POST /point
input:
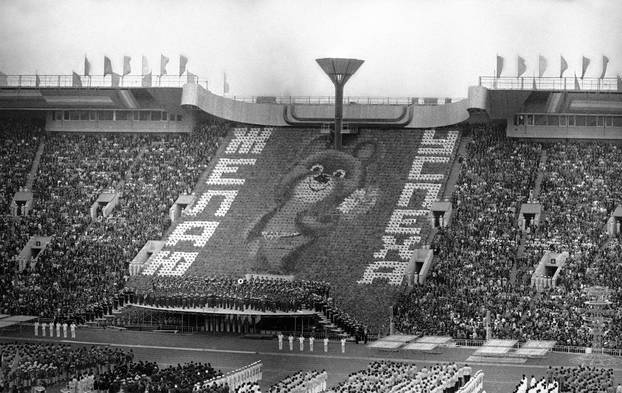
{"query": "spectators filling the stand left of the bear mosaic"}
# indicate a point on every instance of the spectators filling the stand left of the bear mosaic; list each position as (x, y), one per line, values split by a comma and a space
(81, 272)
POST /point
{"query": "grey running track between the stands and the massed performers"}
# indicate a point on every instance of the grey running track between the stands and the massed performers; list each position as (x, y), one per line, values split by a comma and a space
(228, 353)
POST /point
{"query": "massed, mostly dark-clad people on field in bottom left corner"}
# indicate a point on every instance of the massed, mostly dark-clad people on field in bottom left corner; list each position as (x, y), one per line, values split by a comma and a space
(102, 369)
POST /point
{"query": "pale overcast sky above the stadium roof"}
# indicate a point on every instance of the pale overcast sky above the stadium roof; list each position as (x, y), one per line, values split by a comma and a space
(269, 47)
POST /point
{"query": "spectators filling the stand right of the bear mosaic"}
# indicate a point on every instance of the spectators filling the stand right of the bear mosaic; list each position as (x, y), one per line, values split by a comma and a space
(484, 262)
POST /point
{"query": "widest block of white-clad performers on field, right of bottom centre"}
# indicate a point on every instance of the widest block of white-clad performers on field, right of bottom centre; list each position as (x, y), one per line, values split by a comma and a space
(397, 377)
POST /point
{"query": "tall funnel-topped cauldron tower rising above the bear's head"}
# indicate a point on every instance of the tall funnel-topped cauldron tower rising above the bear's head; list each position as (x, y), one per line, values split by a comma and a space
(339, 71)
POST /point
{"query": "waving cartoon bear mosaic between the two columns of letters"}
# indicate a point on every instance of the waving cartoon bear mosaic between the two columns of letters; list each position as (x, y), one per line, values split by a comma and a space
(311, 198)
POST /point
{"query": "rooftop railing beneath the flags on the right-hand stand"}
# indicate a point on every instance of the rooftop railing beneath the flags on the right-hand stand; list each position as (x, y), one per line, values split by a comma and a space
(550, 83)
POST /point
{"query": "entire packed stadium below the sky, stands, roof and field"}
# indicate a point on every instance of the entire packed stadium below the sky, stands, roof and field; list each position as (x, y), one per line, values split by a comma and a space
(161, 234)
